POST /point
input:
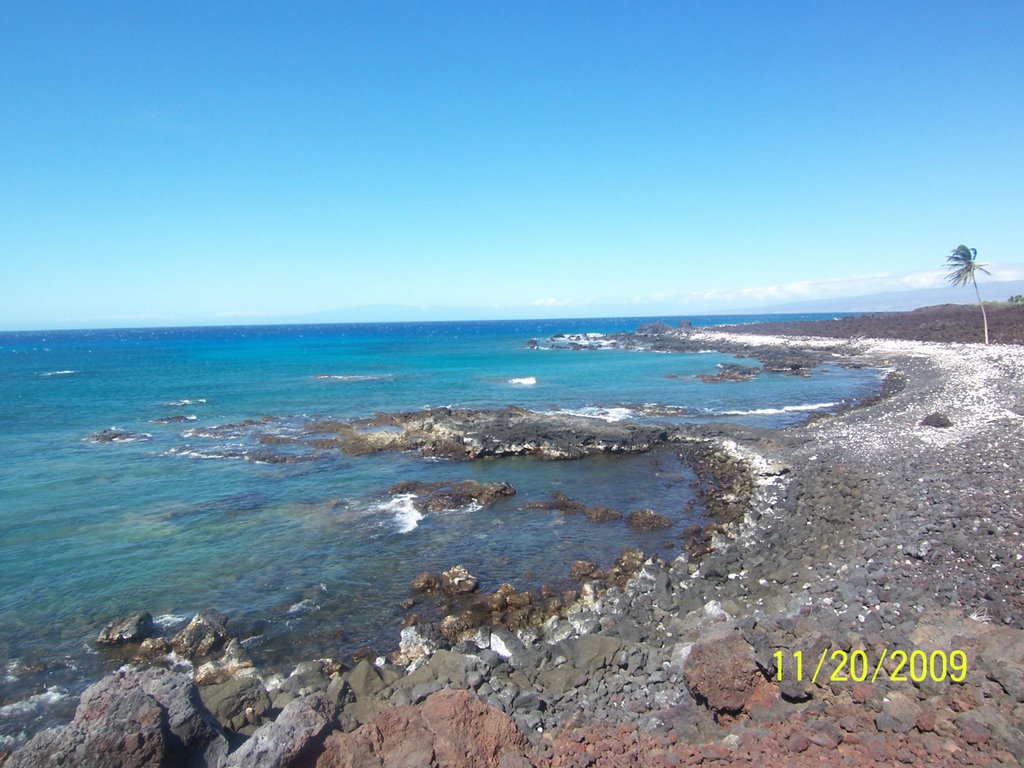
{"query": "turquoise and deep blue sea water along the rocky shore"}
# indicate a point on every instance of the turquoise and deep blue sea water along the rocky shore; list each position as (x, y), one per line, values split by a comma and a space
(310, 558)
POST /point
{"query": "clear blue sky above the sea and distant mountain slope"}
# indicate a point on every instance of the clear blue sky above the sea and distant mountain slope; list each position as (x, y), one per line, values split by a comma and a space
(173, 163)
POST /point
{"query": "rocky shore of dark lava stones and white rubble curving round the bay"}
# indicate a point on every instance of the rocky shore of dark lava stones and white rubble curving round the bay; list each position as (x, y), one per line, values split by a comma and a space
(850, 565)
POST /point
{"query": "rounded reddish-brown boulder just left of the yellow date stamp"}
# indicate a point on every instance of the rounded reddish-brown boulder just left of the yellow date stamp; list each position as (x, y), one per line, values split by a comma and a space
(721, 670)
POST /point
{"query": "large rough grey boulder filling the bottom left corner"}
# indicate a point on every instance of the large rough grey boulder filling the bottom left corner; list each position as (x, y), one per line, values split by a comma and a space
(133, 718)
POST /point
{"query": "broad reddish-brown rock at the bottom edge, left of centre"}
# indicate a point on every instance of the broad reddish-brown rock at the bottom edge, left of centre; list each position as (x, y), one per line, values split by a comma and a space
(450, 729)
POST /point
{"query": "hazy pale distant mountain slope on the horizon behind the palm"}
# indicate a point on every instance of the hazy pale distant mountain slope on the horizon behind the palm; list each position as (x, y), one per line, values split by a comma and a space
(901, 301)
